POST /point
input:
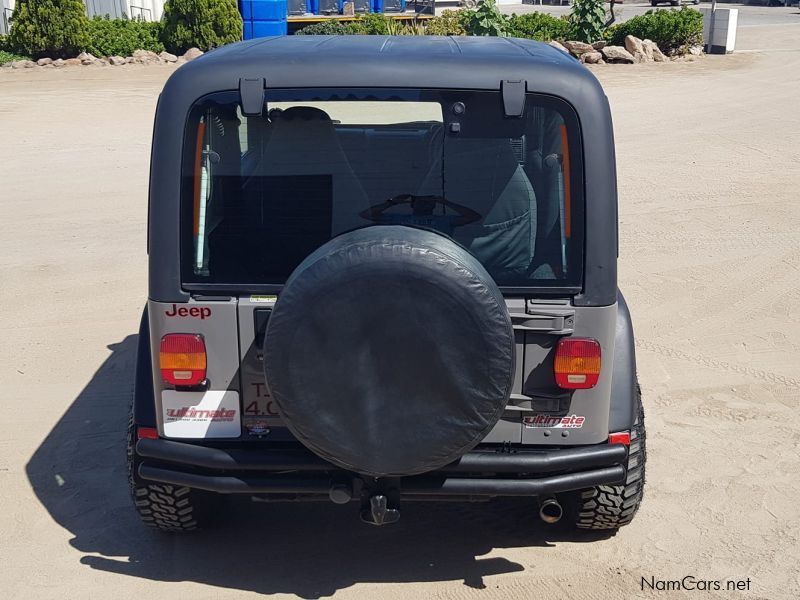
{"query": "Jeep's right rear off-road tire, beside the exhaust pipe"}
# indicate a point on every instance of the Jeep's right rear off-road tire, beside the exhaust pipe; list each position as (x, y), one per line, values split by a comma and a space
(609, 507)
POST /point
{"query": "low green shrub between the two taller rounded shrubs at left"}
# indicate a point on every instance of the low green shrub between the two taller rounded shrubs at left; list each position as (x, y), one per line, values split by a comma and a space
(121, 37)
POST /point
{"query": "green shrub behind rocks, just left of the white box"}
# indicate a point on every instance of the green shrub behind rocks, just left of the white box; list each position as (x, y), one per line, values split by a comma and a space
(672, 30)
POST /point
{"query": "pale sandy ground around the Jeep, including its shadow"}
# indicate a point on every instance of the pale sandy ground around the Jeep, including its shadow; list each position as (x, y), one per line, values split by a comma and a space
(710, 262)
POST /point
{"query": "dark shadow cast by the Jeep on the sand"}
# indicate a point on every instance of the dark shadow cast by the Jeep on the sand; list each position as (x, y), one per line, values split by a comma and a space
(311, 550)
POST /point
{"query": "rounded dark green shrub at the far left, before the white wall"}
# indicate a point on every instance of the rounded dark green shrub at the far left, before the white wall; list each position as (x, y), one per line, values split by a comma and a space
(54, 28)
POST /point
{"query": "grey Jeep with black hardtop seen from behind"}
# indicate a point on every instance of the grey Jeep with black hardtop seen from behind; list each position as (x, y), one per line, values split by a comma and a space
(383, 269)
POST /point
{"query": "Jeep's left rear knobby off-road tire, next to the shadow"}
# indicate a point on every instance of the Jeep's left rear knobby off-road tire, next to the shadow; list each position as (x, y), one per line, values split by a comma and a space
(168, 507)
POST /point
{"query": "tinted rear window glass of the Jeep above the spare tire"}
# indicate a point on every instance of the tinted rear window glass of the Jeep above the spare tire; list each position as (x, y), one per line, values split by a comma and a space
(261, 193)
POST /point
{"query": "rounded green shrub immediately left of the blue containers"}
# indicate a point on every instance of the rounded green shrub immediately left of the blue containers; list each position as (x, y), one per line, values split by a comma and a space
(203, 24)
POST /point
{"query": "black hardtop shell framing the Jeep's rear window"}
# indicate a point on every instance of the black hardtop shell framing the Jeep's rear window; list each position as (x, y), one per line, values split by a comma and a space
(364, 61)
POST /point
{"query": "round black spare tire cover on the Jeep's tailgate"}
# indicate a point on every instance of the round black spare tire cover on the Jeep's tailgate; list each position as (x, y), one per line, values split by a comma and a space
(390, 351)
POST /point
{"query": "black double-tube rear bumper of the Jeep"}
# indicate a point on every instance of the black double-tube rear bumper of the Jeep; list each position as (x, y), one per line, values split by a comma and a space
(297, 471)
